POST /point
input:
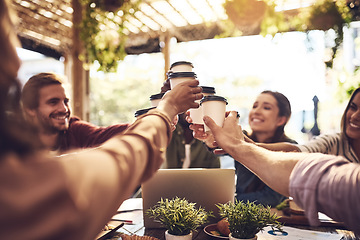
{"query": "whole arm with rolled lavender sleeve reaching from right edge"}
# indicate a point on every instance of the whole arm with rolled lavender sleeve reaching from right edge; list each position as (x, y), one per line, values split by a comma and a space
(314, 180)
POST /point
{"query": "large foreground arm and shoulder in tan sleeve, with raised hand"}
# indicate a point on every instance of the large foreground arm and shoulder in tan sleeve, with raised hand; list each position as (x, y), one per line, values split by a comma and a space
(71, 187)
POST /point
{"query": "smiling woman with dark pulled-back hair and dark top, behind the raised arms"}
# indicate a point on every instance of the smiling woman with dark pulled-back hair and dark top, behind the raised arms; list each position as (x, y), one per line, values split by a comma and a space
(267, 119)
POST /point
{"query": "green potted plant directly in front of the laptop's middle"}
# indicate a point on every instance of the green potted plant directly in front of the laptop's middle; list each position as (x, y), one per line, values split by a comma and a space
(179, 217)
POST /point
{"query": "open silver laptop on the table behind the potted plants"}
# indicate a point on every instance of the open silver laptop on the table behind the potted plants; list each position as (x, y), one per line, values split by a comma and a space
(205, 187)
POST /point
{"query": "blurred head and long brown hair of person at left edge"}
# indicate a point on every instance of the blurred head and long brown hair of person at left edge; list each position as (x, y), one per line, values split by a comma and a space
(15, 134)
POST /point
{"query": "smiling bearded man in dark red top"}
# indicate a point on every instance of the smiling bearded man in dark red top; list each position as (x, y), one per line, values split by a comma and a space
(46, 106)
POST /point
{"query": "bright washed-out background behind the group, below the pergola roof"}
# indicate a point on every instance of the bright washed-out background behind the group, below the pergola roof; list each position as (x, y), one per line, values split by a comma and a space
(239, 68)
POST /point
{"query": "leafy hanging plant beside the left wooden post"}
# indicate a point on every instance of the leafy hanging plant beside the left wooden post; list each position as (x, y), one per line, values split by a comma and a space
(103, 31)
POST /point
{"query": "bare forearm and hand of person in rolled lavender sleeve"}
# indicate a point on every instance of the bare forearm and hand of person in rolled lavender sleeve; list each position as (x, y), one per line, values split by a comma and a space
(274, 168)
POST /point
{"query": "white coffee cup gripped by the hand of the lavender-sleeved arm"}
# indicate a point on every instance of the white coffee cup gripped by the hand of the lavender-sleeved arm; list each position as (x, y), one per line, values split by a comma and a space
(214, 107)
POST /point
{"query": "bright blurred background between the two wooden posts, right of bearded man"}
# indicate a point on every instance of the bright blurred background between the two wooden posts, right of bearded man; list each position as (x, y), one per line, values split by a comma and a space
(115, 97)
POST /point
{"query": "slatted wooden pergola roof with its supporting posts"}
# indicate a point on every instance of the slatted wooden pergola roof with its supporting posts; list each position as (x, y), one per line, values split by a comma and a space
(48, 27)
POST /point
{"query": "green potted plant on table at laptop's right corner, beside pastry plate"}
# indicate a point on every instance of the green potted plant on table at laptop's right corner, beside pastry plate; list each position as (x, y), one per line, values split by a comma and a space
(245, 220)
